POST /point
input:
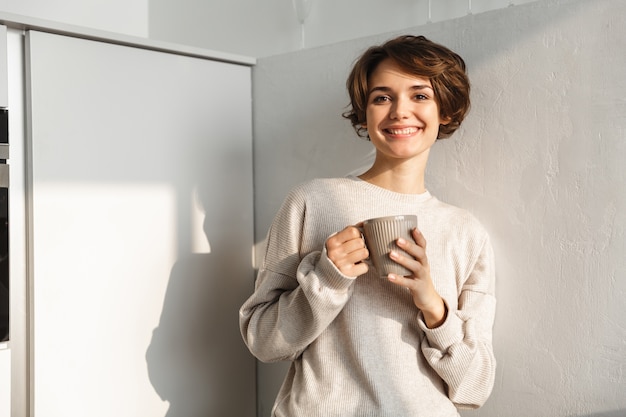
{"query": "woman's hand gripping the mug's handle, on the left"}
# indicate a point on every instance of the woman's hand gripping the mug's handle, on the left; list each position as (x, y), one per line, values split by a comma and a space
(346, 249)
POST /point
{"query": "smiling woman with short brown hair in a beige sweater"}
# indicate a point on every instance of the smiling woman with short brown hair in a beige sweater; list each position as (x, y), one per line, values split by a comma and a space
(415, 345)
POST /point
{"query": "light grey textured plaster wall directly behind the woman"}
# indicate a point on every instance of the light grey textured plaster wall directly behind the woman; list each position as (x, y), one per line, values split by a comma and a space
(540, 160)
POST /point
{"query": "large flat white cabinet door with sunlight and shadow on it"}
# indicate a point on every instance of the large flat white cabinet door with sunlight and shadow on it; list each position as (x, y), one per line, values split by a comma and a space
(142, 231)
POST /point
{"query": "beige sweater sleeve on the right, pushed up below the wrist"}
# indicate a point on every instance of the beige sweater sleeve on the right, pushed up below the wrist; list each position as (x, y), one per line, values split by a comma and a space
(461, 350)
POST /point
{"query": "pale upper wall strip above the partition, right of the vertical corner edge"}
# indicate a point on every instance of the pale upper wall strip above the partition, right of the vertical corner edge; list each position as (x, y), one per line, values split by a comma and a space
(271, 27)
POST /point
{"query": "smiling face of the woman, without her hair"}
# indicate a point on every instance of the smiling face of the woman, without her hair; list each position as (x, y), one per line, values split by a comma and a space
(402, 115)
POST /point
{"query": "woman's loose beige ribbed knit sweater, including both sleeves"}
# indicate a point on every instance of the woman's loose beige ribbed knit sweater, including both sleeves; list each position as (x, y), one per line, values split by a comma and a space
(359, 347)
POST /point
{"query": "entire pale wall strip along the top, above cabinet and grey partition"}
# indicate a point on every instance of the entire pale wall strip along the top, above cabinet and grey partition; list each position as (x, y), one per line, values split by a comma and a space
(249, 27)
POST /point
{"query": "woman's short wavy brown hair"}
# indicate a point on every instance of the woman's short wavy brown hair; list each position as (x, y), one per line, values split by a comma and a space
(420, 57)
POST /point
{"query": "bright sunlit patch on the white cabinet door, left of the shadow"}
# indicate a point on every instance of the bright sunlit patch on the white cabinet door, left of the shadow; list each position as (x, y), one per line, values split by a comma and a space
(102, 259)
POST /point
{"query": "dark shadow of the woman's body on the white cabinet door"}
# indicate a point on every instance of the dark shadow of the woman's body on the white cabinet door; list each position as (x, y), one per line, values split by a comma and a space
(191, 356)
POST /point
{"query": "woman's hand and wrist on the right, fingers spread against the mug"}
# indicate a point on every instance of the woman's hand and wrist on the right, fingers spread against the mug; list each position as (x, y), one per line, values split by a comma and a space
(420, 283)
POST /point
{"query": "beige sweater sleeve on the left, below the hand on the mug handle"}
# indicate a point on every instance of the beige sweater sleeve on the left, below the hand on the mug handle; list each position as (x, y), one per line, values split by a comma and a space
(296, 295)
